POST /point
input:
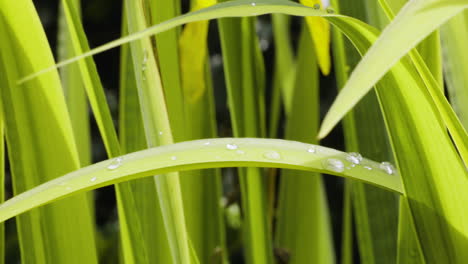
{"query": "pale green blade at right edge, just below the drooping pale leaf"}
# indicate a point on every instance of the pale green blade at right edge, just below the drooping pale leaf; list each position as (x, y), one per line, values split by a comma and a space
(454, 38)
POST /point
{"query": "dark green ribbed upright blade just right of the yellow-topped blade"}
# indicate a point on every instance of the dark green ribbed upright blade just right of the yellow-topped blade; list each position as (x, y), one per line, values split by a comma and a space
(245, 87)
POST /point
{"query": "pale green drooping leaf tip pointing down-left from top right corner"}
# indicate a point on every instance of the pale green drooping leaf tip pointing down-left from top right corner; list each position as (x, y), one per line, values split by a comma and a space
(408, 28)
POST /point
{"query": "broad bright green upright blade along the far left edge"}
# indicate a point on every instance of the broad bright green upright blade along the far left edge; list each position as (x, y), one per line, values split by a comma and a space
(41, 142)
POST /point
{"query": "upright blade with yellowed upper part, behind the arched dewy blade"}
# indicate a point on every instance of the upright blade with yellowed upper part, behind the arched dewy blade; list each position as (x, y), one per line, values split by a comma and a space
(201, 189)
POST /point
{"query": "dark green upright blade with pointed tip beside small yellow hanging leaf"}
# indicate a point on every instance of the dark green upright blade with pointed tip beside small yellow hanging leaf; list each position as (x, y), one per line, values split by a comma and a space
(303, 225)
